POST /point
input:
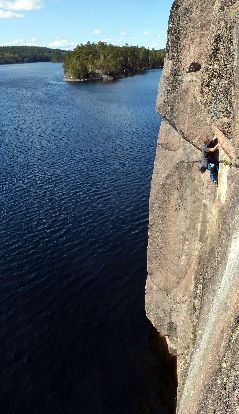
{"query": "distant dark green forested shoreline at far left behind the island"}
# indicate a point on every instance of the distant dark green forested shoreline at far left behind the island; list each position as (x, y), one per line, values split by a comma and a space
(27, 54)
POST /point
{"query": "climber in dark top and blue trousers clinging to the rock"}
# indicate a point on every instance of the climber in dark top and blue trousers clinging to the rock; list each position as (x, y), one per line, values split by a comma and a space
(210, 158)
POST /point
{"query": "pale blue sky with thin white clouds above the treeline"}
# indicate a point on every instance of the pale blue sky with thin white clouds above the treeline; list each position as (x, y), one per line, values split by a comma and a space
(66, 23)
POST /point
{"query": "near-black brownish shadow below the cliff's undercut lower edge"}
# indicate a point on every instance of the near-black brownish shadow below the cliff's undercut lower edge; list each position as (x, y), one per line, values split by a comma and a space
(158, 387)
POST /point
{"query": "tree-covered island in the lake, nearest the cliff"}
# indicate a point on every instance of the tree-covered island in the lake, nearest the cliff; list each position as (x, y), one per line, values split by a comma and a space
(102, 61)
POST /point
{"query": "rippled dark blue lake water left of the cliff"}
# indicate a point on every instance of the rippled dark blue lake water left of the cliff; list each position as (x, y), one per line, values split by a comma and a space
(76, 163)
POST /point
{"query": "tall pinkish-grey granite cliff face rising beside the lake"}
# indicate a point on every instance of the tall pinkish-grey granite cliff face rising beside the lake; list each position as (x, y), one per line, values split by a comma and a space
(193, 253)
